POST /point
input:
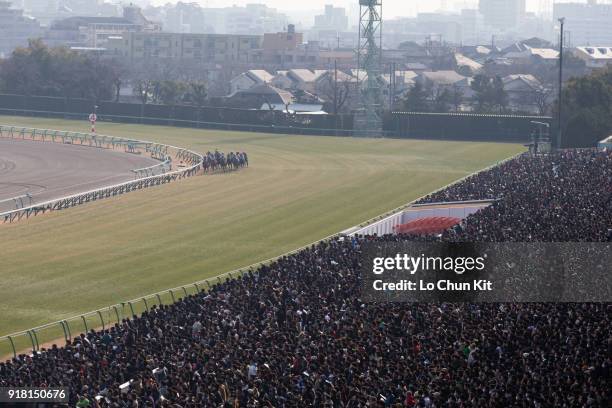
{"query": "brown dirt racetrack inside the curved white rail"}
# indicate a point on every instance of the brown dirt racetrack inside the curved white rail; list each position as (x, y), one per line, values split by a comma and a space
(51, 170)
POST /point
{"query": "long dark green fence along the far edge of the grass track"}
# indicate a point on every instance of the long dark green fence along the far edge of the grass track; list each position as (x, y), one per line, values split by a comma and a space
(445, 126)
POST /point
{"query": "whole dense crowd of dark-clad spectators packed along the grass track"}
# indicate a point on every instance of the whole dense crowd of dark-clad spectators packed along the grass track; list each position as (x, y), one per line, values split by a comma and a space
(295, 333)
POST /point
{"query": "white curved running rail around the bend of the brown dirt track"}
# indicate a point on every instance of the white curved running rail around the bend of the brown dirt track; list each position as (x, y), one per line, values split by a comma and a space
(157, 150)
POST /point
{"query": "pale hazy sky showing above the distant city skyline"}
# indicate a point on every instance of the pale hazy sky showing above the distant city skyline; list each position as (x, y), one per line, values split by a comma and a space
(391, 8)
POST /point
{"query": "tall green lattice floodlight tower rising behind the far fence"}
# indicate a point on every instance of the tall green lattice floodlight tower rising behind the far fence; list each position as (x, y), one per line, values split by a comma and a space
(369, 56)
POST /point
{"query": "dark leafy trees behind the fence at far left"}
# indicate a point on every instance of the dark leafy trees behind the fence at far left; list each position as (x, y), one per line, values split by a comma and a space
(60, 72)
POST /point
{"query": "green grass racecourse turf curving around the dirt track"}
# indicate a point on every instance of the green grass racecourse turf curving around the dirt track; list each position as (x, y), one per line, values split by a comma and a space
(297, 190)
